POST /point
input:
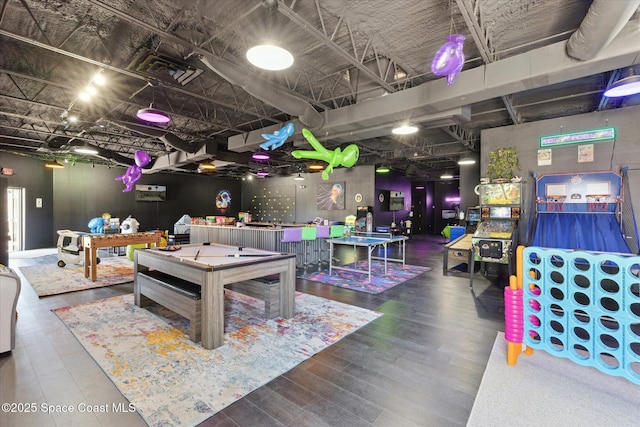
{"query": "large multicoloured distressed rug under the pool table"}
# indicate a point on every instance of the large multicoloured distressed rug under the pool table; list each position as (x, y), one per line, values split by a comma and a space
(174, 381)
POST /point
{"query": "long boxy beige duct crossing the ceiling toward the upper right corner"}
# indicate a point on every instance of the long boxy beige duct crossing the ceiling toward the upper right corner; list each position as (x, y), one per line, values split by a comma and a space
(537, 68)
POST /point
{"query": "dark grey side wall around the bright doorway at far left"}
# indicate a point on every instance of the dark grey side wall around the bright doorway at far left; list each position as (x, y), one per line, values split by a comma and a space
(37, 181)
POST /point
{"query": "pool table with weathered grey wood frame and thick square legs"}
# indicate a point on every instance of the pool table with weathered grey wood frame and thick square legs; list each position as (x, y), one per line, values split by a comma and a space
(214, 265)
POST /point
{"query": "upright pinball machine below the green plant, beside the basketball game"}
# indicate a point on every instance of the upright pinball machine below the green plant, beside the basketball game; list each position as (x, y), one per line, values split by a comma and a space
(496, 236)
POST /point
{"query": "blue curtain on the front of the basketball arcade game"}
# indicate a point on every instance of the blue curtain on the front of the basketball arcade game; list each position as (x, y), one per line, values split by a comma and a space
(592, 232)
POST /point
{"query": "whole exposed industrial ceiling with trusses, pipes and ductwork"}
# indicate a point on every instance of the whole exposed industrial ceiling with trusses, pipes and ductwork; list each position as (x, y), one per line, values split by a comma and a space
(360, 69)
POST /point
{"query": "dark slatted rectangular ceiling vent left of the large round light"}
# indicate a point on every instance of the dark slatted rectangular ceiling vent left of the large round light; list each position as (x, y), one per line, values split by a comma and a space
(171, 70)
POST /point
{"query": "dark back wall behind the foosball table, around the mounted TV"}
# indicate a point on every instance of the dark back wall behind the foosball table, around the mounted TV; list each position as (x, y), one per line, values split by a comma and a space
(83, 192)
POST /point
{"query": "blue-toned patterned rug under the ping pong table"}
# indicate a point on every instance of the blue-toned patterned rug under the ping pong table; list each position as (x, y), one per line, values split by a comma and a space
(358, 281)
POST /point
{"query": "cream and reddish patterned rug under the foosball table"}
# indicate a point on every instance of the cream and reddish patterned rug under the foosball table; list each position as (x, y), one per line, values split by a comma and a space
(49, 279)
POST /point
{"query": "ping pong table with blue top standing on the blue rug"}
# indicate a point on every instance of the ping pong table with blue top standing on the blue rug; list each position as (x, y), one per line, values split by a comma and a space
(370, 241)
